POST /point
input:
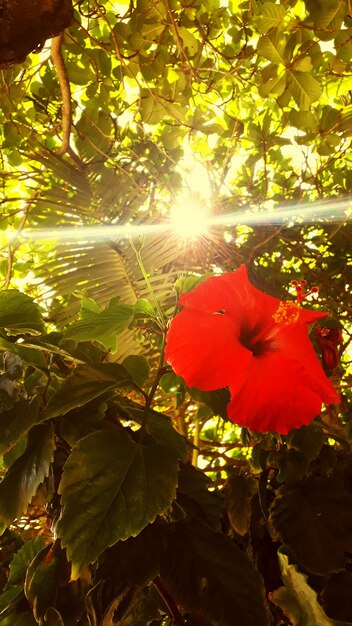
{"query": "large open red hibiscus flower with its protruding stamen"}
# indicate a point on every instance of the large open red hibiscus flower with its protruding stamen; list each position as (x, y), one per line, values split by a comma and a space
(230, 334)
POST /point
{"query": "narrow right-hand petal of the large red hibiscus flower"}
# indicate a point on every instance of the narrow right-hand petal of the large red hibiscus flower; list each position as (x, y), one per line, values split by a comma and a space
(292, 341)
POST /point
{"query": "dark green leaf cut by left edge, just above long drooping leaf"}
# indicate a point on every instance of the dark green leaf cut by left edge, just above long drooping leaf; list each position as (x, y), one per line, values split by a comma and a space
(17, 421)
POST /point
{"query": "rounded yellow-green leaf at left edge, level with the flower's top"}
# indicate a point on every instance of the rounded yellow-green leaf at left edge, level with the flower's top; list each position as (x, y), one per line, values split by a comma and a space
(19, 313)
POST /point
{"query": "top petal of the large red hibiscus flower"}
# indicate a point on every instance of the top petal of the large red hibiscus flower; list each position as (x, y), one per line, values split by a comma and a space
(232, 292)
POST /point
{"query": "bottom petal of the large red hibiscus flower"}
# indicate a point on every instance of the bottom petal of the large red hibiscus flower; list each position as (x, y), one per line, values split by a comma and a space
(276, 396)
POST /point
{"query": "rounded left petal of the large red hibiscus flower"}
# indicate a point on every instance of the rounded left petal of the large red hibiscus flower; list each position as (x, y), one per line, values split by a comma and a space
(204, 349)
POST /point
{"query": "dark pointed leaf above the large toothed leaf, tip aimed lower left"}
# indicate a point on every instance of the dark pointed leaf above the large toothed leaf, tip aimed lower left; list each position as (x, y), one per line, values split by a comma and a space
(84, 384)
